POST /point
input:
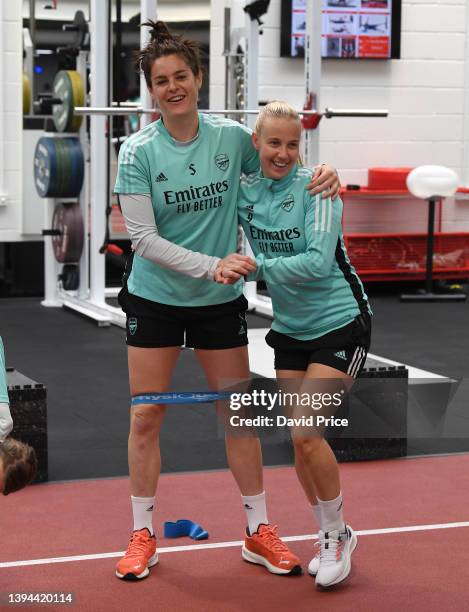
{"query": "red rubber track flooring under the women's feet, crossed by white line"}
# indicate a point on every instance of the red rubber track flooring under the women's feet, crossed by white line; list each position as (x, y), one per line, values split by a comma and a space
(418, 570)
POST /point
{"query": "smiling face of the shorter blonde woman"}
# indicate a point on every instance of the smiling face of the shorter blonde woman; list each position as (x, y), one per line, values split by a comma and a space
(278, 143)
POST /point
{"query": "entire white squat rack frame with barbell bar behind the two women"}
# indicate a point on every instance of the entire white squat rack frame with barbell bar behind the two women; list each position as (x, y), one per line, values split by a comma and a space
(90, 300)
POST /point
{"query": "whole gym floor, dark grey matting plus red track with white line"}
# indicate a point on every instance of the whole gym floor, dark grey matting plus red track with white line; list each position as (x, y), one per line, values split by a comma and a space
(78, 525)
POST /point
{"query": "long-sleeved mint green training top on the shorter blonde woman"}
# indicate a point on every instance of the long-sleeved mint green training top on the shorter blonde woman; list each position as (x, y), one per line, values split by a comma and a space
(298, 243)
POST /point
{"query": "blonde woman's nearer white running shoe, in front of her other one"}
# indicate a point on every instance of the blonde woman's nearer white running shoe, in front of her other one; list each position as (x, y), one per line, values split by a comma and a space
(336, 549)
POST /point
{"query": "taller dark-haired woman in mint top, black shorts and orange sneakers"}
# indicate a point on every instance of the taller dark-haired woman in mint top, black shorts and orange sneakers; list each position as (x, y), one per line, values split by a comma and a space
(178, 182)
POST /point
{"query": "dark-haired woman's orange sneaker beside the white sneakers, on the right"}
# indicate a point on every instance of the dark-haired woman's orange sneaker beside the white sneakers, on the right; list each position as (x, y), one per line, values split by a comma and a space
(266, 548)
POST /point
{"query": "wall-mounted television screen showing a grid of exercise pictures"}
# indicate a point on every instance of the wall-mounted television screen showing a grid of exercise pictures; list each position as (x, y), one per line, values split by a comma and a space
(351, 29)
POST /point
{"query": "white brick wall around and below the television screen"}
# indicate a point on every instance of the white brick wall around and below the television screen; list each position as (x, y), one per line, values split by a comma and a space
(424, 91)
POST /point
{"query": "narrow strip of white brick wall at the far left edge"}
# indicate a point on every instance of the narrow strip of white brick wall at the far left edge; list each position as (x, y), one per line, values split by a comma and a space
(11, 117)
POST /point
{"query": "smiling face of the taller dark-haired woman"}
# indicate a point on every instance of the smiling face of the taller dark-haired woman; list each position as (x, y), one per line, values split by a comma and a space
(174, 87)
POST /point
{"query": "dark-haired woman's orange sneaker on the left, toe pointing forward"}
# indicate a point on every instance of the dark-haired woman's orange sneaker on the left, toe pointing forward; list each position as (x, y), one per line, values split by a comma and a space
(141, 554)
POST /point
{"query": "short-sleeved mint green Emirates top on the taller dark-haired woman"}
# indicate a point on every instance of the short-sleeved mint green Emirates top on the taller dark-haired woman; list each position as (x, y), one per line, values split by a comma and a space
(194, 190)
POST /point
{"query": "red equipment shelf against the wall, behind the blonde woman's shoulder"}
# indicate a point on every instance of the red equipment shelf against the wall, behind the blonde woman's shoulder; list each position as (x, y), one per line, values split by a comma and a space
(401, 255)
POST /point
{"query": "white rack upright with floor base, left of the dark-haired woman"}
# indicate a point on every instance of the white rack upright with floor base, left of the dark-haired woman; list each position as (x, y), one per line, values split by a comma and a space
(90, 299)
